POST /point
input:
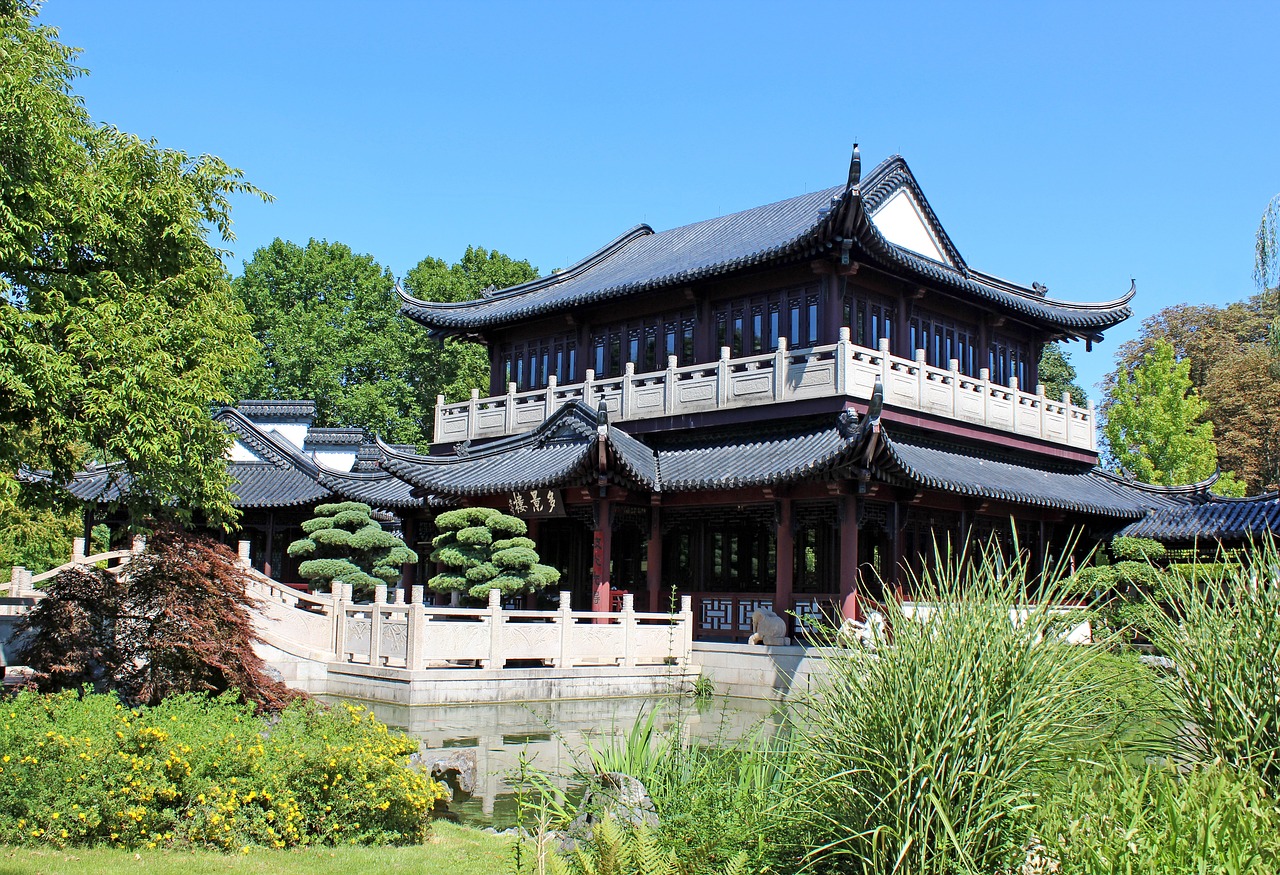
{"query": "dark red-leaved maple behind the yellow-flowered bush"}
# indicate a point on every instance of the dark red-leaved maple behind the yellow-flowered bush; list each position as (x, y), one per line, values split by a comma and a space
(176, 621)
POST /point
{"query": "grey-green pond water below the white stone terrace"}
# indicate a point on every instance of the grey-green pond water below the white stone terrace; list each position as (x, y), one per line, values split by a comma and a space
(552, 737)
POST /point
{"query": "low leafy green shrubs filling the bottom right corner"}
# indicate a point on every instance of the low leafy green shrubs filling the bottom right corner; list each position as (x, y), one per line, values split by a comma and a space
(1116, 819)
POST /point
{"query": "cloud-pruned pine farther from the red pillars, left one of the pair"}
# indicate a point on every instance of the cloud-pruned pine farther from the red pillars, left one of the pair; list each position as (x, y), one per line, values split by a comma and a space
(345, 543)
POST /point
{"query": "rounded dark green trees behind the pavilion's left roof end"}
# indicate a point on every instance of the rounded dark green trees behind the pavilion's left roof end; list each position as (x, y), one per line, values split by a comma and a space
(330, 327)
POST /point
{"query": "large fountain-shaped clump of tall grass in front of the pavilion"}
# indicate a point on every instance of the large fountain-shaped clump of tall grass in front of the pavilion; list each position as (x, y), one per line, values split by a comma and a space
(930, 755)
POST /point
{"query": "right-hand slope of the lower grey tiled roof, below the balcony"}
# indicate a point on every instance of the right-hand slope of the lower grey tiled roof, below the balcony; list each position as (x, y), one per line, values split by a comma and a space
(982, 474)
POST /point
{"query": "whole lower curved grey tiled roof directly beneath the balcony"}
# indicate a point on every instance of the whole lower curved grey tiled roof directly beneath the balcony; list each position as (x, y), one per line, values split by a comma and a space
(566, 452)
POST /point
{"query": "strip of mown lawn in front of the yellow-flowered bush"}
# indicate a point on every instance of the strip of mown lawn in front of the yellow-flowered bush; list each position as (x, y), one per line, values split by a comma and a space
(451, 850)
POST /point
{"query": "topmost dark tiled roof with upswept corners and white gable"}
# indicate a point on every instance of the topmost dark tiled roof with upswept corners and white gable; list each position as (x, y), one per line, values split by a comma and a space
(642, 260)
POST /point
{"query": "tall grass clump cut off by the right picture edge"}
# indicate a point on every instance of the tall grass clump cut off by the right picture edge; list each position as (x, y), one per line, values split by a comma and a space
(1222, 629)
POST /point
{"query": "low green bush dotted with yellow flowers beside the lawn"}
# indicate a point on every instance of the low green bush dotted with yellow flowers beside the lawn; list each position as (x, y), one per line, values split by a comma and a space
(84, 769)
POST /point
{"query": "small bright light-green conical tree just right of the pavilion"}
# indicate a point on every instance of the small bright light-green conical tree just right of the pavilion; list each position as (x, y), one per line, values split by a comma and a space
(1155, 427)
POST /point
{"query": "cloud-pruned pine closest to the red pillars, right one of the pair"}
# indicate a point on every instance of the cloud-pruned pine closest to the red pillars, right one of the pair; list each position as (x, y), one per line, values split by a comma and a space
(483, 549)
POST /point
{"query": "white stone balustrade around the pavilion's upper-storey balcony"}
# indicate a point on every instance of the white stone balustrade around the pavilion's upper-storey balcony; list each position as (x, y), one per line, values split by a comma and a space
(825, 372)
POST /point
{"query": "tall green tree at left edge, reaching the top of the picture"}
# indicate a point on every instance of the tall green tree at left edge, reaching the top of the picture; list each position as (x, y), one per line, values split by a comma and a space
(117, 320)
